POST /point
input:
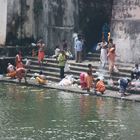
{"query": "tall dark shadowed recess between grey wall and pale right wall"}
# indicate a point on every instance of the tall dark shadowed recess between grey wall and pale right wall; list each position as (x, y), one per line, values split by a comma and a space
(93, 15)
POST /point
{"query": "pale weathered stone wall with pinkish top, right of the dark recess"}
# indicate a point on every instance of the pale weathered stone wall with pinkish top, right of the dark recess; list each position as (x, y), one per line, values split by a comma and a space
(125, 29)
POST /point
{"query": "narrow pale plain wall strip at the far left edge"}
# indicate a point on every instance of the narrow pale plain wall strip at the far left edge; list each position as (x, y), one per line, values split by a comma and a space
(3, 21)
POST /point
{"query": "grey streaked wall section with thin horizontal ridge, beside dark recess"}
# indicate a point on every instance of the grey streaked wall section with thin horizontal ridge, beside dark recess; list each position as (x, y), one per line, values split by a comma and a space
(59, 18)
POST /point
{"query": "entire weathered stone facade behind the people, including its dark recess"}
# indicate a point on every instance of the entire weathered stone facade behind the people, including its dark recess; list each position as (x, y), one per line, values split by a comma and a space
(54, 20)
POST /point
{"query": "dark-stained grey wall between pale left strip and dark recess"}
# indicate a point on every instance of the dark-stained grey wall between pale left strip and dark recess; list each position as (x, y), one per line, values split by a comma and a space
(51, 20)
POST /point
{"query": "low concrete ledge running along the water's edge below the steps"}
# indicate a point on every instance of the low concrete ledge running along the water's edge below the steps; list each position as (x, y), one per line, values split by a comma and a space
(75, 89)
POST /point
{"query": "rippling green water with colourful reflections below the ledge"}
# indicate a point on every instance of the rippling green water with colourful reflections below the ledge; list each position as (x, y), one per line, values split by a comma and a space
(29, 113)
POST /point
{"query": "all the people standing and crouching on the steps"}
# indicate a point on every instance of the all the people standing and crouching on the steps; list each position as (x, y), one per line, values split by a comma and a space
(62, 54)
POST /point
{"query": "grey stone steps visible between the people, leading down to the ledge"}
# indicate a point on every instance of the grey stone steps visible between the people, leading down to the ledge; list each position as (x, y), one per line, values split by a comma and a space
(51, 69)
